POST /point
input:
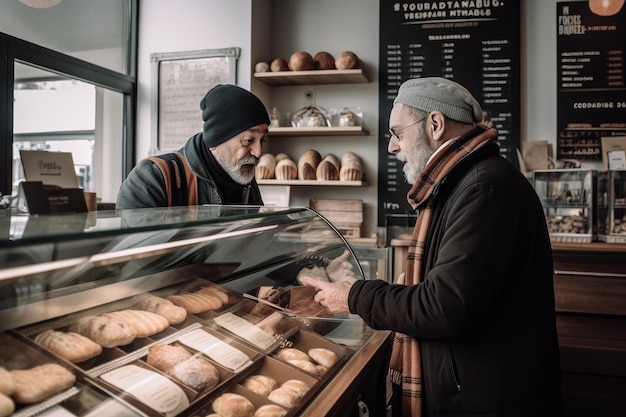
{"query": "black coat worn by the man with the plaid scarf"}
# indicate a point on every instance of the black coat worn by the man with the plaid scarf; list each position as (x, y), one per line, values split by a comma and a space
(484, 313)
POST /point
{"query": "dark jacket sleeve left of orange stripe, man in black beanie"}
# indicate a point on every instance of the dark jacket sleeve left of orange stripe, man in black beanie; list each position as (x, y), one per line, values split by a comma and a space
(144, 187)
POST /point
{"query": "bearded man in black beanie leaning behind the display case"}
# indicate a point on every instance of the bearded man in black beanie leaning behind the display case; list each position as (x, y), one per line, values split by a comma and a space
(217, 164)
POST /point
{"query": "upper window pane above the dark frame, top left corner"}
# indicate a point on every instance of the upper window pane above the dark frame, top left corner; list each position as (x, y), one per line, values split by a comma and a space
(92, 30)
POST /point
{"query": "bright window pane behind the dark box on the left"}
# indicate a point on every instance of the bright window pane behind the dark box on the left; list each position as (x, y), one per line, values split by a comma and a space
(66, 115)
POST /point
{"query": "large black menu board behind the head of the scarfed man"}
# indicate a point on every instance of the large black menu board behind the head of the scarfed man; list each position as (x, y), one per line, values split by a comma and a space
(475, 43)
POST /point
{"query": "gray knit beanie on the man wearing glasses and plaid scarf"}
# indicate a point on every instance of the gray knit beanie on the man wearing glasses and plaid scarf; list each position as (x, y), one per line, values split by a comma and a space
(446, 96)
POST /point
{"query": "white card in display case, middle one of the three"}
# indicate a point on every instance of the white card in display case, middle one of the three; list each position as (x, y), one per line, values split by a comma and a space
(216, 349)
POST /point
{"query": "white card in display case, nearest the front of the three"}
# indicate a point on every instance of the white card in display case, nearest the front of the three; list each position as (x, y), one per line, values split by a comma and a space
(154, 390)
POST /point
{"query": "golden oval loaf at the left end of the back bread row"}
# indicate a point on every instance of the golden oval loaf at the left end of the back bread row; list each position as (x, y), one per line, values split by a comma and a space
(71, 346)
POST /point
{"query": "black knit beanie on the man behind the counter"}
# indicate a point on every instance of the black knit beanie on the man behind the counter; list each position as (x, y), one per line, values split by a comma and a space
(228, 110)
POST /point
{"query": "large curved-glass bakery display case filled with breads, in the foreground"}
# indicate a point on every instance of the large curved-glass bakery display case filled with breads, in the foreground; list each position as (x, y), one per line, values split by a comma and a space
(184, 311)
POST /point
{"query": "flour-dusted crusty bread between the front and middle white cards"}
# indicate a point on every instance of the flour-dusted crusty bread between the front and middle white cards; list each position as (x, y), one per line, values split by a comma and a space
(182, 365)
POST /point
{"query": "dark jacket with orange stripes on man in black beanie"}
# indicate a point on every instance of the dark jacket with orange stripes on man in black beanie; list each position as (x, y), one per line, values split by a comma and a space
(145, 185)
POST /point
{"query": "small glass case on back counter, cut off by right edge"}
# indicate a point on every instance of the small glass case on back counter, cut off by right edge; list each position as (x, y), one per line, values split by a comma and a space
(612, 200)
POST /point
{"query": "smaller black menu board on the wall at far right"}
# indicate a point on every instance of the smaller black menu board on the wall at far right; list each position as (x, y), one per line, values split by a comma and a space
(591, 94)
